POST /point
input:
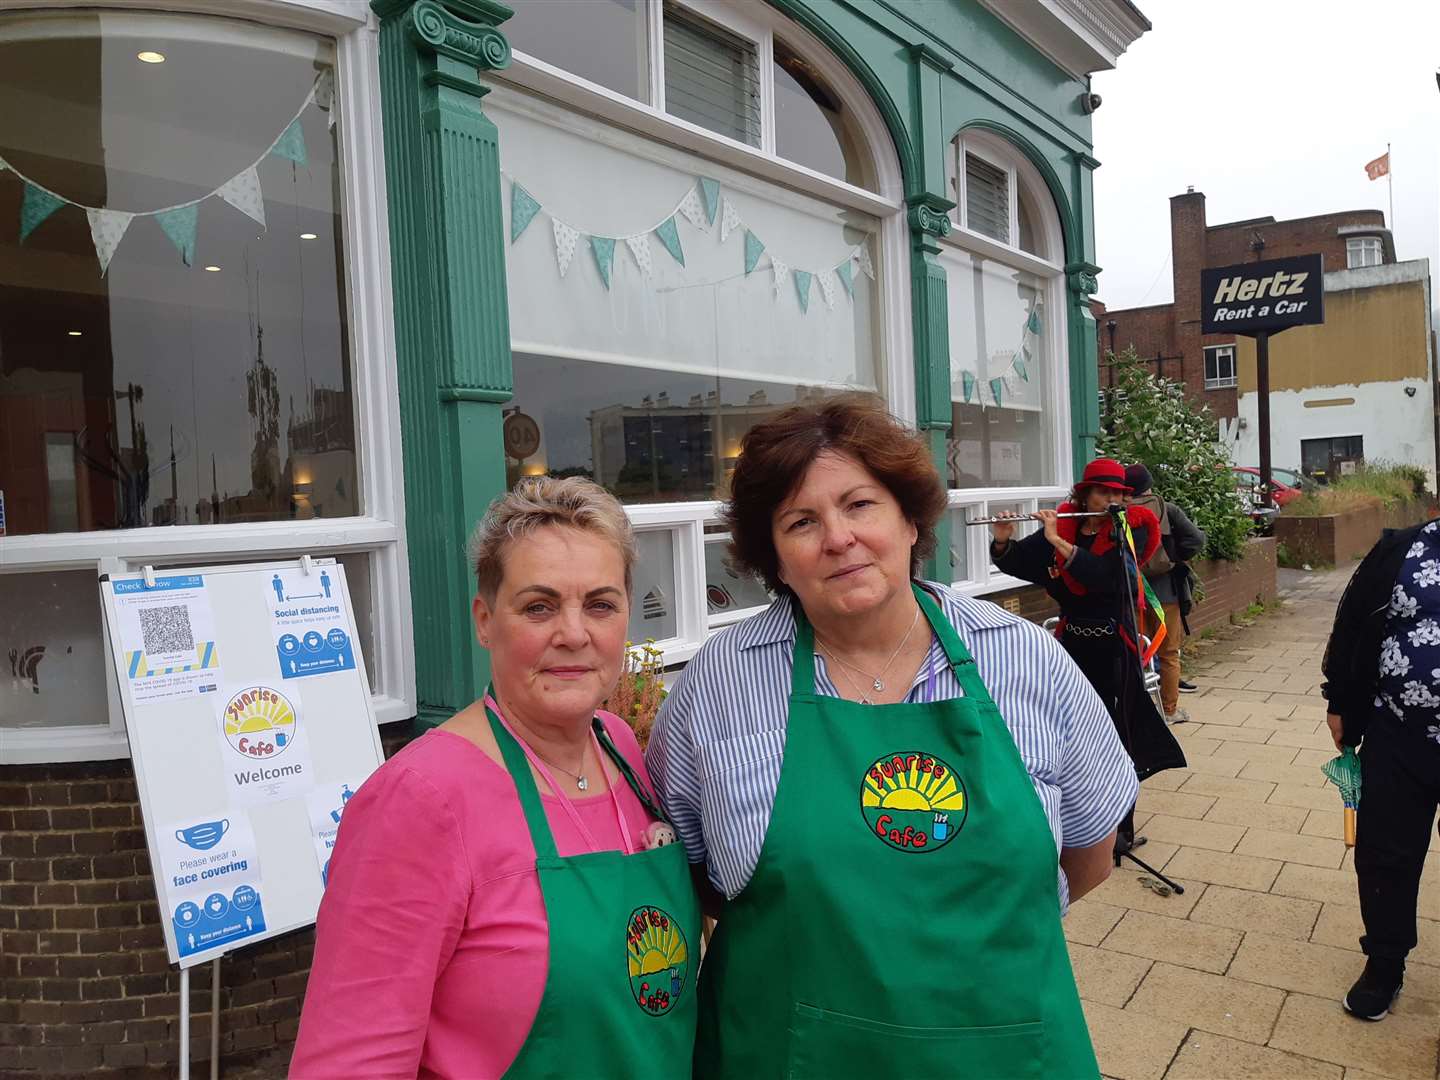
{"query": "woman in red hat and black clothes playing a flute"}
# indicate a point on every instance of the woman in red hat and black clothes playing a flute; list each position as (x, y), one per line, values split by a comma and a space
(1078, 562)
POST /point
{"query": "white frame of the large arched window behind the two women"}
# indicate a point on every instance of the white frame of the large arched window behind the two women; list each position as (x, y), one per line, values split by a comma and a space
(886, 204)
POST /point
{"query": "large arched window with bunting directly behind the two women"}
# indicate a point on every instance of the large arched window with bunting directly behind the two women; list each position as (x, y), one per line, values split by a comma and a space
(705, 227)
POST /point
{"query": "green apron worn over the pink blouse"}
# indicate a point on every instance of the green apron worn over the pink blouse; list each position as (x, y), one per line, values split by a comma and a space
(620, 997)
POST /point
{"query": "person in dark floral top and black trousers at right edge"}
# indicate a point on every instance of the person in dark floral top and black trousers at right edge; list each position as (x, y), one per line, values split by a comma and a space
(1383, 693)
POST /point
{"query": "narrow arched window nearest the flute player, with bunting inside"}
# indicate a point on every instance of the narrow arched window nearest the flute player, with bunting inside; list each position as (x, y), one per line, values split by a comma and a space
(1010, 401)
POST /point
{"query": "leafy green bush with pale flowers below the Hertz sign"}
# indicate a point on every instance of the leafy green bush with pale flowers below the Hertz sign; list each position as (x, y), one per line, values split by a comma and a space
(1148, 420)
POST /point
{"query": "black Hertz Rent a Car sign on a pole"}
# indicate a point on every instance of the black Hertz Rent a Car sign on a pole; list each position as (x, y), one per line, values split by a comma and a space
(1259, 297)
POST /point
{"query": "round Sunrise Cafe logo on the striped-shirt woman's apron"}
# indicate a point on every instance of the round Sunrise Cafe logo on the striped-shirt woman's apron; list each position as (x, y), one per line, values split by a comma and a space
(914, 801)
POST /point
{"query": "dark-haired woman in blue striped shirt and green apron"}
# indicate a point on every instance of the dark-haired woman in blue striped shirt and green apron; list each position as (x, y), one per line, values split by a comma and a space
(882, 783)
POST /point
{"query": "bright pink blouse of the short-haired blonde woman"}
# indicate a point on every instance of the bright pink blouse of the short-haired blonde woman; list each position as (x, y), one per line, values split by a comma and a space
(431, 948)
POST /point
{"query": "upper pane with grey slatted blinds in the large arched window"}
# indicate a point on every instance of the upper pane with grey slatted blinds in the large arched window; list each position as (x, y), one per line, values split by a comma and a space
(712, 77)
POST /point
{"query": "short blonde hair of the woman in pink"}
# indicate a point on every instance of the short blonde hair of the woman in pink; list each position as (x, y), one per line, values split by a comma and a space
(541, 502)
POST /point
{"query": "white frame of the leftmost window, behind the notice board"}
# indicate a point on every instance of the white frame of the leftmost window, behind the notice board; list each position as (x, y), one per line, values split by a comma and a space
(381, 532)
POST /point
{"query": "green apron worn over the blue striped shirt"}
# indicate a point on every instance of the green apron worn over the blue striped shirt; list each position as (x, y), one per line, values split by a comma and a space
(904, 919)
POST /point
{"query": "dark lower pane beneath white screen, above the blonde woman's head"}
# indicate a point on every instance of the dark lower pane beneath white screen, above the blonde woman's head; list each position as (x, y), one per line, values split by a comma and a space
(646, 436)
